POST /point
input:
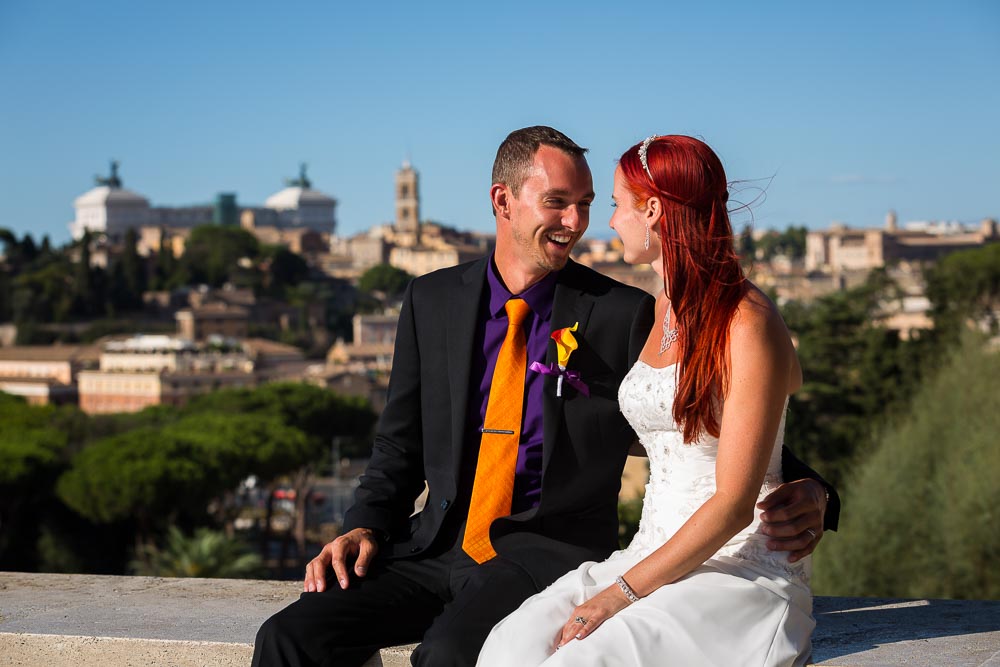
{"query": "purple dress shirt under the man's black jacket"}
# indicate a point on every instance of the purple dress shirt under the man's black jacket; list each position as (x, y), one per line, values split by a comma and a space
(490, 333)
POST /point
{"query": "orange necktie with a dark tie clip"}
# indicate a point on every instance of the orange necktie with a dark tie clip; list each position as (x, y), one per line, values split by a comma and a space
(493, 488)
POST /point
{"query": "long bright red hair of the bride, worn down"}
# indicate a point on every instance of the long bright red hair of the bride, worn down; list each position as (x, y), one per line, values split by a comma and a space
(701, 270)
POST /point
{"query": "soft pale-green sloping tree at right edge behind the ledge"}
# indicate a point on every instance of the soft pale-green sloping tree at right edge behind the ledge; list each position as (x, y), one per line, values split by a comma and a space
(923, 507)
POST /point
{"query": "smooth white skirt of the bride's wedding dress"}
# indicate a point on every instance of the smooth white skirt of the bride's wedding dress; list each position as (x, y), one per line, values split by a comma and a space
(726, 613)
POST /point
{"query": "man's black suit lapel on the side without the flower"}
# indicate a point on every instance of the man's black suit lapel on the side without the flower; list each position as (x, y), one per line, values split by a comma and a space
(462, 312)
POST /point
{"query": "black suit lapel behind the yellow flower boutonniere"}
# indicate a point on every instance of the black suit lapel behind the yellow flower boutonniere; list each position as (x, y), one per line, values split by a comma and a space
(570, 305)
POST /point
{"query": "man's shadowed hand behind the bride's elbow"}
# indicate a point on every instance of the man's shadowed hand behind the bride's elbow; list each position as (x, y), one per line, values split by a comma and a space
(793, 517)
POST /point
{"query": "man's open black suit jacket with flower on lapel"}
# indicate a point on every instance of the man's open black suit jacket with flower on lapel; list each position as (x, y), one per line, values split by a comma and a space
(421, 433)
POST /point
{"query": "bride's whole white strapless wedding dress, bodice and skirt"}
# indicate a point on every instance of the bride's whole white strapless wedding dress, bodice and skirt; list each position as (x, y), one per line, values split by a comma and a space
(745, 605)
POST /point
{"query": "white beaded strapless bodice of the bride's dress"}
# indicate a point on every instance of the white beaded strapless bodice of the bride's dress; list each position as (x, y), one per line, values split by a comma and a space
(682, 476)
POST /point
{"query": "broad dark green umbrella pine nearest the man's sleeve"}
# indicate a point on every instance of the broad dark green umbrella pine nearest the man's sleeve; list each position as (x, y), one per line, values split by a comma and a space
(167, 465)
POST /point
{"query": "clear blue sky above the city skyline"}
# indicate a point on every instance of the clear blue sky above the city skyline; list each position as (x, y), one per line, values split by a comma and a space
(840, 110)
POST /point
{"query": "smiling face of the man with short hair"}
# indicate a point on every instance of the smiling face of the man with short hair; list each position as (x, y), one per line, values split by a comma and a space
(552, 211)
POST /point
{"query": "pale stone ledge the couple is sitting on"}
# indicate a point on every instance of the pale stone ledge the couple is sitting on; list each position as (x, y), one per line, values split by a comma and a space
(101, 621)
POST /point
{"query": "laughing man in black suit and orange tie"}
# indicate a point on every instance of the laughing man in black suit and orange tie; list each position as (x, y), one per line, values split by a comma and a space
(523, 475)
